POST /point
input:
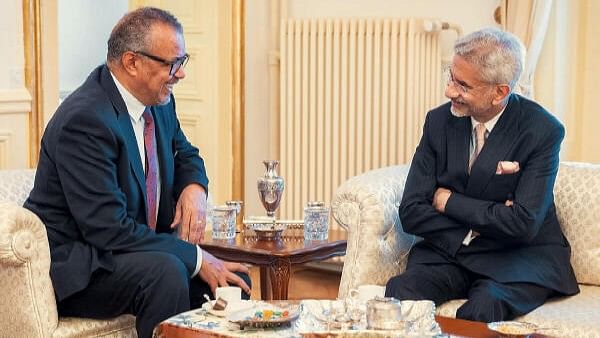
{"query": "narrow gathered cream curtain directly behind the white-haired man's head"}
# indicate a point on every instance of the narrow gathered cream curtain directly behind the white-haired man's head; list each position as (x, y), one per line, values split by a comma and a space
(527, 19)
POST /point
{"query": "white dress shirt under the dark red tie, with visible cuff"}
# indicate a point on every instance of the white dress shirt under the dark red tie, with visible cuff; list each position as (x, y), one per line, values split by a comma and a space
(135, 109)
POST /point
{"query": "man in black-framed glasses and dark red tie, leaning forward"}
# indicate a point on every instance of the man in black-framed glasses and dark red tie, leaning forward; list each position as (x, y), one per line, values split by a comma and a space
(117, 176)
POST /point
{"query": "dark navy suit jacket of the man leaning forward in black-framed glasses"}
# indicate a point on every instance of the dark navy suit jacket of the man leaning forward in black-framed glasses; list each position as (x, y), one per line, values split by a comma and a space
(90, 188)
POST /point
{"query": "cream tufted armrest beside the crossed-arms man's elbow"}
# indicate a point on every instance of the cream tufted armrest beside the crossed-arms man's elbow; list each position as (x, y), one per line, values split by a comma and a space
(367, 207)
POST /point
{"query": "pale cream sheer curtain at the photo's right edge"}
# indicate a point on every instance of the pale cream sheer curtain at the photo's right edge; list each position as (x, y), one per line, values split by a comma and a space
(566, 80)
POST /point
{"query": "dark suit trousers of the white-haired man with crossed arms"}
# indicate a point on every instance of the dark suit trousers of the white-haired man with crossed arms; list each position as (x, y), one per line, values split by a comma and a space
(487, 300)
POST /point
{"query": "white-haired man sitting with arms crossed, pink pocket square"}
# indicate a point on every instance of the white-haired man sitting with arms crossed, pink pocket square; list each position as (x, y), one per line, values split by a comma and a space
(479, 192)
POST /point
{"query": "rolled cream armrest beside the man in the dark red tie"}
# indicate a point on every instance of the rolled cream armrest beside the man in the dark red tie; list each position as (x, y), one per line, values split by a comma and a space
(27, 305)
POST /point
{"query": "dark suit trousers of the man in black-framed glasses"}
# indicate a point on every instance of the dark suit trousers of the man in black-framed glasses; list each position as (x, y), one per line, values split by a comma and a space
(151, 285)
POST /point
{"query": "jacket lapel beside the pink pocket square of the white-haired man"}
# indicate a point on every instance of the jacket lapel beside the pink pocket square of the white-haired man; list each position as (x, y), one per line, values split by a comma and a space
(497, 145)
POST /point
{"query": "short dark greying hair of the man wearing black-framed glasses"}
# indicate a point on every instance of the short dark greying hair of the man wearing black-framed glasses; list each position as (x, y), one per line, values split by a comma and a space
(132, 32)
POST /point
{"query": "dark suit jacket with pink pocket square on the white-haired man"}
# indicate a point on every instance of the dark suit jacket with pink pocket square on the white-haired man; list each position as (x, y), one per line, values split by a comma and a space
(522, 243)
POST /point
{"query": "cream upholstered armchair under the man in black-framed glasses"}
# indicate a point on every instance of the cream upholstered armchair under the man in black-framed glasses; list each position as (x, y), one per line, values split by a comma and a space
(27, 303)
